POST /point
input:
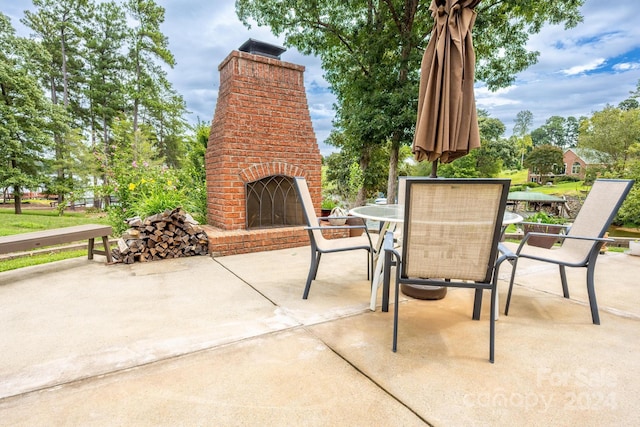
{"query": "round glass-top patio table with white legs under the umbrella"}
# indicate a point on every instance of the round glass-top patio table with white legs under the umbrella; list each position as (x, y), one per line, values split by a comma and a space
(390, 216)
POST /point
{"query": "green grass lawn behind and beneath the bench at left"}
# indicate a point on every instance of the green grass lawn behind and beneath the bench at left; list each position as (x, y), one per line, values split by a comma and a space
(42, 219)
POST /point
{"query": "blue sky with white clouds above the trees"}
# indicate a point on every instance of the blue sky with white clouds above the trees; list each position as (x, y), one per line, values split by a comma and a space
(579, 71)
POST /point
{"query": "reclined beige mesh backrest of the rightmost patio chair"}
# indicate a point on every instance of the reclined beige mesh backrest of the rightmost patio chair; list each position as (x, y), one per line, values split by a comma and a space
(597, 212)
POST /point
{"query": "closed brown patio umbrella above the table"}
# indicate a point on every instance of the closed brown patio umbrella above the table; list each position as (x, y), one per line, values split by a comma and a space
(447, 123)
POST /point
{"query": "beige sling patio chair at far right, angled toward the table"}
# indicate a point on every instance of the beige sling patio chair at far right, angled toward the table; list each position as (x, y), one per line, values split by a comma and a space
(581, 244)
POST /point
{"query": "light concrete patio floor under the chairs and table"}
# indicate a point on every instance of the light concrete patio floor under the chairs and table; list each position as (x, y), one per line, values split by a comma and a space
(229, 341)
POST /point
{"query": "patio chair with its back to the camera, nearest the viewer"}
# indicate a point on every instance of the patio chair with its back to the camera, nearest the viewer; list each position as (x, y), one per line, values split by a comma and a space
(451, 235)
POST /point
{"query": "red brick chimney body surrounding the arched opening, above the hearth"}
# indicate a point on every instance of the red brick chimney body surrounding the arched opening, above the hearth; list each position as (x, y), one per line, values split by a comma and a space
(261, 127)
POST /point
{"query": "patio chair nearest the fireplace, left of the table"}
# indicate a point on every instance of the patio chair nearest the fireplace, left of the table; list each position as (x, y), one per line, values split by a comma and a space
(321, 245)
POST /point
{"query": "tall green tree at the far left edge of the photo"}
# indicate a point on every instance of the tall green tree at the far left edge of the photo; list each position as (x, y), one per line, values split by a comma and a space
(25, 114)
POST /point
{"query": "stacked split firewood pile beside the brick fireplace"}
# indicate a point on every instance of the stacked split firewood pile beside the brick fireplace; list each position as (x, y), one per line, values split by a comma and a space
(170, 234)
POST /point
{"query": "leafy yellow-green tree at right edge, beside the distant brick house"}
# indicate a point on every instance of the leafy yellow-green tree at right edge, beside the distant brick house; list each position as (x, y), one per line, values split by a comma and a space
(614, 133)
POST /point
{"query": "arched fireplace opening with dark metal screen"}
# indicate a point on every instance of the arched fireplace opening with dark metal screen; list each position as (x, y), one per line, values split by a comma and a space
(273, 202)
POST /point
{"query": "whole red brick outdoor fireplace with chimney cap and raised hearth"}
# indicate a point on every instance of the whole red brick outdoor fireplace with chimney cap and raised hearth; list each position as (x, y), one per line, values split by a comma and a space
(261, 136)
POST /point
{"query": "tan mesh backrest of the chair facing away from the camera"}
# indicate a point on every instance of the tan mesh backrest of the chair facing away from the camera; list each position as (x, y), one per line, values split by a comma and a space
(452, 227)
